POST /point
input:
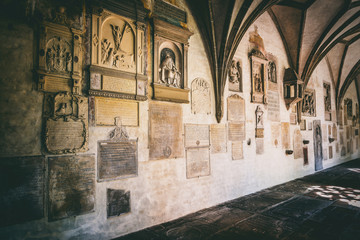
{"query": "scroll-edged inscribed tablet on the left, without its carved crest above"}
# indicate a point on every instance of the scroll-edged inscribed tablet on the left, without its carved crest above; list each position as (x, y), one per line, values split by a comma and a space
(66, 135)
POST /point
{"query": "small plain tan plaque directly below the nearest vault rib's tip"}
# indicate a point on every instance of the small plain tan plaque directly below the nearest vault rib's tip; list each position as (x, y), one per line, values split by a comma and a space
(218, 138)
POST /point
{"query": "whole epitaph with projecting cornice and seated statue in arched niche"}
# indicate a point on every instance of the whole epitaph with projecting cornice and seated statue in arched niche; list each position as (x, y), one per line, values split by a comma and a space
(170, 62)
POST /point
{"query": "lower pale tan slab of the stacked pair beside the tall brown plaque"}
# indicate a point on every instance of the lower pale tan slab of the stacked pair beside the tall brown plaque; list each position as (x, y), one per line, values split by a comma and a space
(197, 162)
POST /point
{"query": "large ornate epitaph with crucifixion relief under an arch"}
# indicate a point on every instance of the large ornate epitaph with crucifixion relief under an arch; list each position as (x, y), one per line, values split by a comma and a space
(118, 53)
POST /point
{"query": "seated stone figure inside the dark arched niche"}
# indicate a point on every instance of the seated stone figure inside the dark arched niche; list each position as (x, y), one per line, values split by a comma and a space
(169, 73)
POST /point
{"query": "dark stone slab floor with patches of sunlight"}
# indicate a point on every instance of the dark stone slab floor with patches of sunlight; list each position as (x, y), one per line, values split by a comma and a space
(325, 205)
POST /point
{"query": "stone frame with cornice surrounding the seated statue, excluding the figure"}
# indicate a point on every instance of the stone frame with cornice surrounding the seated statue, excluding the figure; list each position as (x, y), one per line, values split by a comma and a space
(175, 38)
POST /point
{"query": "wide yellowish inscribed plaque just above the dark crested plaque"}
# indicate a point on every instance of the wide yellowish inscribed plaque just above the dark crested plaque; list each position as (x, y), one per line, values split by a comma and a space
(106, 109)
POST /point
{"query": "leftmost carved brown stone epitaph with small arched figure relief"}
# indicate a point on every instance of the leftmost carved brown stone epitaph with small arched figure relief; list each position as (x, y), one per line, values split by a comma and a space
(60, 58)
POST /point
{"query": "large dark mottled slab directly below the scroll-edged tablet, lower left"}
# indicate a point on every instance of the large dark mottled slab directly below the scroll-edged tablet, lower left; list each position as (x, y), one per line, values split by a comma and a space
(71, 186)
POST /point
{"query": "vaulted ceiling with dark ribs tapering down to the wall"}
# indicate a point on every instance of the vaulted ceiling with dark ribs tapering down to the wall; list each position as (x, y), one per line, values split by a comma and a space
(311, 30)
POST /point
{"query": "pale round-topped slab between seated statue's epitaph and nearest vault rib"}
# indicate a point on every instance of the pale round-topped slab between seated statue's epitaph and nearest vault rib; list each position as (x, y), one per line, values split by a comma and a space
(200, 97)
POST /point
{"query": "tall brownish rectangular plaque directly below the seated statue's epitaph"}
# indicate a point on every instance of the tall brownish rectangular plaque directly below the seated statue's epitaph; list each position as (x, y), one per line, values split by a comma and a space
(165, 131)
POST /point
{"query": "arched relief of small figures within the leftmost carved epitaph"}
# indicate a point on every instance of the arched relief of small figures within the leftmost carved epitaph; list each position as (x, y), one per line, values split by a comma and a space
(58, 55)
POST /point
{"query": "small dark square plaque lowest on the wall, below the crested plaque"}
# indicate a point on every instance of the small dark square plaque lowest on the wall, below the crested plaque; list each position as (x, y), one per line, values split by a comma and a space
(118, 202)
